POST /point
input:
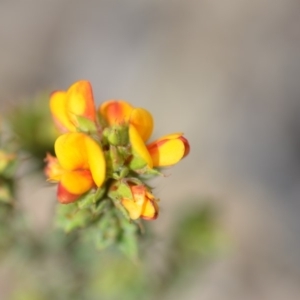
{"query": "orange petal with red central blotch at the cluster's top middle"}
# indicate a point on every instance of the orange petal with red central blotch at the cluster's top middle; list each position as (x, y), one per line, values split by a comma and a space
(116, 111)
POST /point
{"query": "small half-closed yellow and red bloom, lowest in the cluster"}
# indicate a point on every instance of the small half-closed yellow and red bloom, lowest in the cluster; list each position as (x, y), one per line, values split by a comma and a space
(142, 204)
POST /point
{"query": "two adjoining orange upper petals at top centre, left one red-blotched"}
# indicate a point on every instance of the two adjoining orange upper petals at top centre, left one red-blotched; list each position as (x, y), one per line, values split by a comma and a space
(117, 112)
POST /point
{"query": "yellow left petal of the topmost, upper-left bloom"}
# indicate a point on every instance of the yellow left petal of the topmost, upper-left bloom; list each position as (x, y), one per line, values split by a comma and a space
(58, 108)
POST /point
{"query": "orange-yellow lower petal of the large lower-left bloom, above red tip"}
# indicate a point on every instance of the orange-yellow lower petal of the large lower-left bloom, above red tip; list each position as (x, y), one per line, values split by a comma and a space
(77, 182)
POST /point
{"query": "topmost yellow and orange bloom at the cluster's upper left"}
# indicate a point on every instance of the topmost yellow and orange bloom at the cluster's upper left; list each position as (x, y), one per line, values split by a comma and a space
(67, 106)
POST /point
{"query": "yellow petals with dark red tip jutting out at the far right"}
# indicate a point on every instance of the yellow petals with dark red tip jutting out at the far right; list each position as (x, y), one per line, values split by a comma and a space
(168, 150)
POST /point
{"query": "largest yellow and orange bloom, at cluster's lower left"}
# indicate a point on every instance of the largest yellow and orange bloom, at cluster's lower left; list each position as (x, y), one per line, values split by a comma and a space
(79, 167)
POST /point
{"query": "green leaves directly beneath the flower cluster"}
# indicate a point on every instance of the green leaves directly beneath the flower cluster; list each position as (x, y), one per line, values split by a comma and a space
(103, 221)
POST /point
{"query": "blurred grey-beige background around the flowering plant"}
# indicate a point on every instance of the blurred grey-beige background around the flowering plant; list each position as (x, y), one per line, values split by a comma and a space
(226, 73)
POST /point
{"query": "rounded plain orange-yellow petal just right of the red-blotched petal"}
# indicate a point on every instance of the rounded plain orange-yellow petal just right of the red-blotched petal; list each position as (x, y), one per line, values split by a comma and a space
(142, 120)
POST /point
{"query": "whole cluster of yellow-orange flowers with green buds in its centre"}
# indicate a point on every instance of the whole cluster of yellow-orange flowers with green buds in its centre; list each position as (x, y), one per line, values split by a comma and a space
(105, 153)
